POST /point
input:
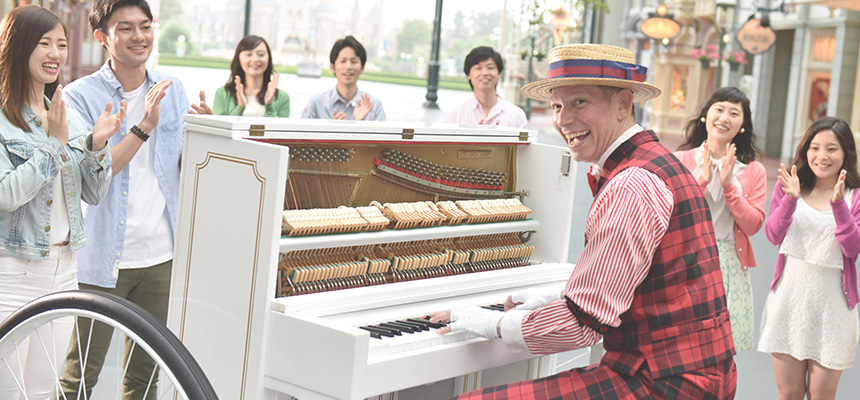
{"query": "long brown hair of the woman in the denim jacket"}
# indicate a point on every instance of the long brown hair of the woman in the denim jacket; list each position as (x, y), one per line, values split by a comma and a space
(20, 32)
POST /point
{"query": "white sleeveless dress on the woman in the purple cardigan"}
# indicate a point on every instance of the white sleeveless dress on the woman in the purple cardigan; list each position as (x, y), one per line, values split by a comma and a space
(806, 315)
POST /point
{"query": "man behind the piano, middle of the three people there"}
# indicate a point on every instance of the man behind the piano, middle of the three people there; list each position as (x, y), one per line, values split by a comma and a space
(345, 101)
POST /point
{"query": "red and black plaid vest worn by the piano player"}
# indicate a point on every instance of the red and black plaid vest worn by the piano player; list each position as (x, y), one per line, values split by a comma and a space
(678, 321)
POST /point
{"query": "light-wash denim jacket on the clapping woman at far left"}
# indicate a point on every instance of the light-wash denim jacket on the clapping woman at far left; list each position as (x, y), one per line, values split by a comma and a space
(29, 163)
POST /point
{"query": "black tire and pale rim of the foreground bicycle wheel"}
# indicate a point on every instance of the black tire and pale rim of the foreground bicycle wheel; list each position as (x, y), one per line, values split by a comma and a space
(154, 337)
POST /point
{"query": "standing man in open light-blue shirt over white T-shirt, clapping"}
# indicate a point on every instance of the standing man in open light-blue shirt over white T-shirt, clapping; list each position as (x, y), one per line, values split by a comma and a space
(132, 230)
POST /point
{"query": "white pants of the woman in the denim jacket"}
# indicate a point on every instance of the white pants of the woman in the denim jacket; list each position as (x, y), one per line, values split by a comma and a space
(41, 355)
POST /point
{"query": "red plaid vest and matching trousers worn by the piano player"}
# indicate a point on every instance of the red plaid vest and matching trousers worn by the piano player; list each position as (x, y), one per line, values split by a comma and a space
(675, 339)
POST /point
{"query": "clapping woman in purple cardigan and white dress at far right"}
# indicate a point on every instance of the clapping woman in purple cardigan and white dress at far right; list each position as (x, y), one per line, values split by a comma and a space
(809, 323)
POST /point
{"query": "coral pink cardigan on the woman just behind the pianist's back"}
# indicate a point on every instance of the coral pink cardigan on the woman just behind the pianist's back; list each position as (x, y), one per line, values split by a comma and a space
(747, 210)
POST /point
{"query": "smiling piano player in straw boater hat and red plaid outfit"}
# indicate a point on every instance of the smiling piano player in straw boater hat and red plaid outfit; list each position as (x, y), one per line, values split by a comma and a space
(648, 280)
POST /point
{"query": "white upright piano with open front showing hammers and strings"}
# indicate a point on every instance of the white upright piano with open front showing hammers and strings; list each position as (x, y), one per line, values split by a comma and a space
(253, 344)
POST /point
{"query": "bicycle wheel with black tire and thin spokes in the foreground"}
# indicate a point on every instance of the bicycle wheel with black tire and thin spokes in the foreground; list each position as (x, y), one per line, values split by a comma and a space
(180, 373)
